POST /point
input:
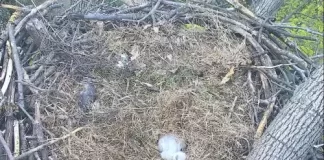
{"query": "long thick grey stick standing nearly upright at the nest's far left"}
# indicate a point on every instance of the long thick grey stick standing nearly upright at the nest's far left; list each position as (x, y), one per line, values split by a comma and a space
(18, 67)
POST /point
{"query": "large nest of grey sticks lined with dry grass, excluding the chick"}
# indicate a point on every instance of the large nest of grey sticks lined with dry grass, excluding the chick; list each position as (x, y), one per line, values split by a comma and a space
(153, 74)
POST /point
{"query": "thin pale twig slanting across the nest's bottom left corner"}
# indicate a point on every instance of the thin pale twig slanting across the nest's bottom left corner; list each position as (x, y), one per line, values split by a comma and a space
(36, 149)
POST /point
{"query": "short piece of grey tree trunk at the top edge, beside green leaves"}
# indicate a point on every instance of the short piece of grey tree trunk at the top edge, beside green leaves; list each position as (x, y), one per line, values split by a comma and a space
(265, 8)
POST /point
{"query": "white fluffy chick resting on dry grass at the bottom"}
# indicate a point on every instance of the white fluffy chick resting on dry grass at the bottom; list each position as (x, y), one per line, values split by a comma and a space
(171, 147)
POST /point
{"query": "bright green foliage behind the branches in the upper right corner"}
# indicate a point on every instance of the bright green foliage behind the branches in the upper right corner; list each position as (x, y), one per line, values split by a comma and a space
(309, 16)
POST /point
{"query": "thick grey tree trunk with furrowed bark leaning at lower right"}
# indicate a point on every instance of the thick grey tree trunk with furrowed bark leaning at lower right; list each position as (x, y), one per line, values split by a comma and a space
(298, 125)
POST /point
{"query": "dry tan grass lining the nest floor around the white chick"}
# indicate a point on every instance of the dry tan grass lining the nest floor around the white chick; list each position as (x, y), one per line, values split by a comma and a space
(127, 118)
